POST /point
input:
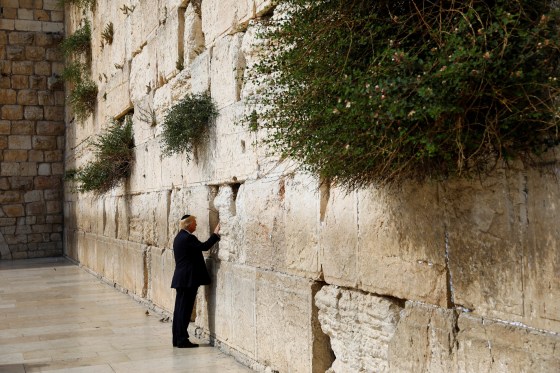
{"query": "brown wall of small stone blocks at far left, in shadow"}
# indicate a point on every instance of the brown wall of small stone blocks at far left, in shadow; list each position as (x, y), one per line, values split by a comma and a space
(31, 129)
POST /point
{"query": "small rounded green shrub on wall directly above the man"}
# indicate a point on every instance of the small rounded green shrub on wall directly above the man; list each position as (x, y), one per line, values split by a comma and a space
(186, 124)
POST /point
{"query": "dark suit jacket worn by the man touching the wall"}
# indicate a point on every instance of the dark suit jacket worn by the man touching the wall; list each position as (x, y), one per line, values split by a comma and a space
(190, 268)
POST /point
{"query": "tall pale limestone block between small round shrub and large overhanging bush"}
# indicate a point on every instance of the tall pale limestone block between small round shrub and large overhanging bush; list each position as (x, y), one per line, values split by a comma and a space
(226, 71)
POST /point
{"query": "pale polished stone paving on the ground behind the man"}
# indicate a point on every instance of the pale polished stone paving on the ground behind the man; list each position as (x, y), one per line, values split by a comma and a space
(56, 317)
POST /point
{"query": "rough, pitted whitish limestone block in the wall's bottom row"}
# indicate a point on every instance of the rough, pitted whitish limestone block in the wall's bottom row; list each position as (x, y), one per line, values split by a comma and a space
(360, 327)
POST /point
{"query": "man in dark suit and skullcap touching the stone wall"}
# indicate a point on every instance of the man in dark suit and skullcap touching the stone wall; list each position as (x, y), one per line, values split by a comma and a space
(190, 273)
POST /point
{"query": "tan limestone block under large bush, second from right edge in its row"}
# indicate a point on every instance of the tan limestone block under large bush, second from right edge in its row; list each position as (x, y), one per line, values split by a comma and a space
(486, 243)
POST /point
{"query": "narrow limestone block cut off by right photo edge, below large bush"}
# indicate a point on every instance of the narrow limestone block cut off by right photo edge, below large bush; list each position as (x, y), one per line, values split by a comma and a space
(541, 283)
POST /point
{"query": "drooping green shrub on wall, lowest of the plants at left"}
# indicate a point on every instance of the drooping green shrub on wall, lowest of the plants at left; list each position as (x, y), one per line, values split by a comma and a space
(114, 155)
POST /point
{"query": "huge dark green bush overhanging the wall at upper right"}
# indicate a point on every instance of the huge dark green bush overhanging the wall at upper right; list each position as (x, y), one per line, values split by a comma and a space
(363, 92)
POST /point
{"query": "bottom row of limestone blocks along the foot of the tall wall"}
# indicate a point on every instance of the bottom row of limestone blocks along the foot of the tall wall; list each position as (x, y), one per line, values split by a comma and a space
(288, 323)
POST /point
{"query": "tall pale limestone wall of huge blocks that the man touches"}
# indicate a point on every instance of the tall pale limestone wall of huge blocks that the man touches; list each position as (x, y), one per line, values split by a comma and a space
(448, 277)
